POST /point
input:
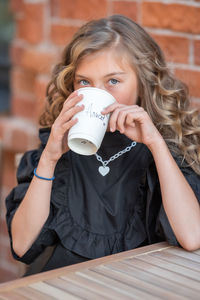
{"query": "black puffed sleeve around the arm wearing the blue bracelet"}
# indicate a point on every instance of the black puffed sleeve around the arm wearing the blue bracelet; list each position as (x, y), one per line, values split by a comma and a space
(24, 176)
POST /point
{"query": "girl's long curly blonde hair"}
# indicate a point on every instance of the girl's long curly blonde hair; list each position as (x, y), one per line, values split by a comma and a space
(164, 97)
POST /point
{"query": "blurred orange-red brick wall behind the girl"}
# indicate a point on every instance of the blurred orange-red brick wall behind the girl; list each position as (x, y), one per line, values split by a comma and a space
(43, 27)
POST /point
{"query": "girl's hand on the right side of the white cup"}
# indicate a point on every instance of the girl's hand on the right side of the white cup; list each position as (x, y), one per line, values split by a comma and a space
(134, 122)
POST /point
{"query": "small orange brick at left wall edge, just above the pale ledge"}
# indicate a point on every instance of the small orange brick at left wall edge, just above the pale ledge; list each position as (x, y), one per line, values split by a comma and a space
(23, 106)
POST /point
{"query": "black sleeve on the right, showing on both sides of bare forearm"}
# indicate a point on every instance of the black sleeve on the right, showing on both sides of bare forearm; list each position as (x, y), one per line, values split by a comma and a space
(163, 227)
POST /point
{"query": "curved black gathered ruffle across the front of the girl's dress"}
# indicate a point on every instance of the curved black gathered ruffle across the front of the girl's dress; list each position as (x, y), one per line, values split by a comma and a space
(77, 237)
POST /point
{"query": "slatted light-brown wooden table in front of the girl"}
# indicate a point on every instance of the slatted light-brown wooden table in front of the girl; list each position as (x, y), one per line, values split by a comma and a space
(153, 272)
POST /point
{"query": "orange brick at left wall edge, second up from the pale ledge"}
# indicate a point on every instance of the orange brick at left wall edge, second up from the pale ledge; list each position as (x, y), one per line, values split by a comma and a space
(22, 80)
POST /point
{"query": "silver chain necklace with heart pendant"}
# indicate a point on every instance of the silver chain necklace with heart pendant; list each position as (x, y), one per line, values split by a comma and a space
(104, 169)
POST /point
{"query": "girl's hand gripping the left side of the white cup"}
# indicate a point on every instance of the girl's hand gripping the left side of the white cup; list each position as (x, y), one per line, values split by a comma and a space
(57, 142)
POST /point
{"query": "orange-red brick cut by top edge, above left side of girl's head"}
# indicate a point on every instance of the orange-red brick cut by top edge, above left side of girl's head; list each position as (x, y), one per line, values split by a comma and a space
(83, 10)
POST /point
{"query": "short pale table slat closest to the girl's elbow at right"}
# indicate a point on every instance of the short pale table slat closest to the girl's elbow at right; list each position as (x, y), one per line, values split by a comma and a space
(177, 260)
